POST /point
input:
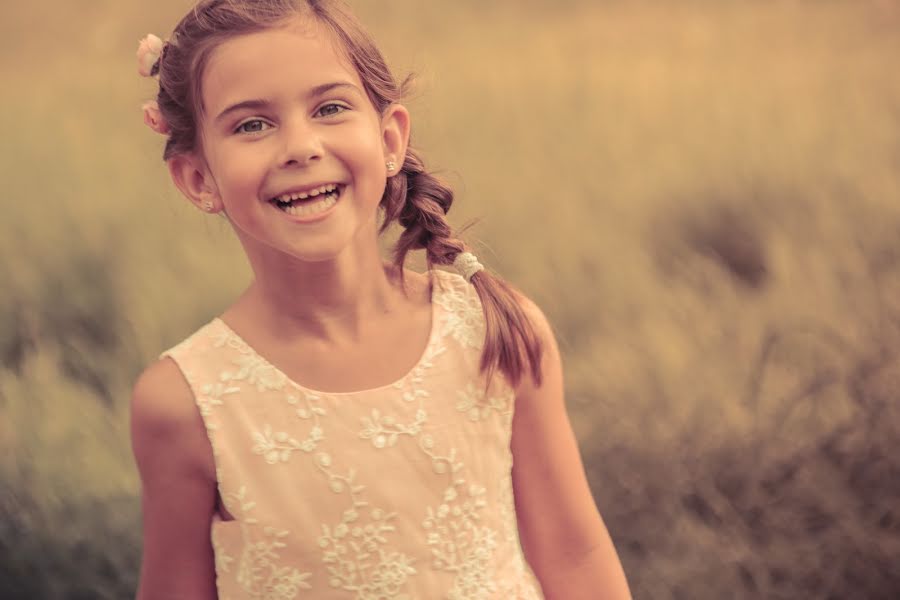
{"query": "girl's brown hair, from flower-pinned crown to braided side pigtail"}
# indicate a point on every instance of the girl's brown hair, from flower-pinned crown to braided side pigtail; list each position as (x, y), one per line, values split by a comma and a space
(414, 197)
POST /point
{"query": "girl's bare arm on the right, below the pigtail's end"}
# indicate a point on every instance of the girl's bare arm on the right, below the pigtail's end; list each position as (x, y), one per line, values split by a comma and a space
(563, 536)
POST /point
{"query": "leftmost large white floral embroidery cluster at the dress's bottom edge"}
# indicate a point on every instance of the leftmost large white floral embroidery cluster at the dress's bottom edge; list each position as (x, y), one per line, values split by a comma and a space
(258, 572)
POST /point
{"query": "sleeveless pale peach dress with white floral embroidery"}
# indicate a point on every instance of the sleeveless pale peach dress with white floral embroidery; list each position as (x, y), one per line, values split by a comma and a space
(398, 492)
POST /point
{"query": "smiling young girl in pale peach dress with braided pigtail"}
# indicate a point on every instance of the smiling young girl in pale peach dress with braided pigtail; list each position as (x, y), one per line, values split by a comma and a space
(347, 428)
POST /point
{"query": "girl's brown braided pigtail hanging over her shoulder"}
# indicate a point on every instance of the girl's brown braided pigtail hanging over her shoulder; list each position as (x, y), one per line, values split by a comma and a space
(419, 201)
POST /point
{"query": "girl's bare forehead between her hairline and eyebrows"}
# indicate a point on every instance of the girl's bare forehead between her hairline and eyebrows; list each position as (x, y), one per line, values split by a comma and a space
(287, 60)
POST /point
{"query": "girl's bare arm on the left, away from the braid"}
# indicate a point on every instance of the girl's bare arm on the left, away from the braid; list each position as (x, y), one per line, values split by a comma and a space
(177, 472)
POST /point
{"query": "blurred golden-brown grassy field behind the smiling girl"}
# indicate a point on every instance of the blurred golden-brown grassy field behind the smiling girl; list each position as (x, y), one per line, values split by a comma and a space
(703, 196)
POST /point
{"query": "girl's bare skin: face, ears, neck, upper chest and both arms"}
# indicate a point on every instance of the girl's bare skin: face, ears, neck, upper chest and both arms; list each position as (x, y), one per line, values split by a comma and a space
(322, 291)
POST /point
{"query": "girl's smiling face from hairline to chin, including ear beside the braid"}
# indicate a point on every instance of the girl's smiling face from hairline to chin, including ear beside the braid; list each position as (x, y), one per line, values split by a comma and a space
(285, 114)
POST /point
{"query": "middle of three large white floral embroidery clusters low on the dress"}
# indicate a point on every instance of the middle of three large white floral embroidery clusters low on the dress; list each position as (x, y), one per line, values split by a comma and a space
(354, 548)
